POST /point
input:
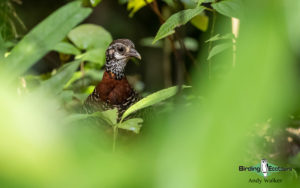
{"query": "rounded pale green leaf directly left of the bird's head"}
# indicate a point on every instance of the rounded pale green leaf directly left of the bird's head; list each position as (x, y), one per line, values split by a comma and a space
(90, 36)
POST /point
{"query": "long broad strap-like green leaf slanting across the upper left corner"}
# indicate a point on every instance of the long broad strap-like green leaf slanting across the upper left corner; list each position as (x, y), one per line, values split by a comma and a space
(43, 38)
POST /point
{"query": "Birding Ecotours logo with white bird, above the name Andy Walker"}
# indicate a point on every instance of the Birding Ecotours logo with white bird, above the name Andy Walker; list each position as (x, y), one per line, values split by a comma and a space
(264, 168)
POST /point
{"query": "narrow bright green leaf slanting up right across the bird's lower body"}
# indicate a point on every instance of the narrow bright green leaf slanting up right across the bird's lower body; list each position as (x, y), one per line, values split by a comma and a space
(152, 99)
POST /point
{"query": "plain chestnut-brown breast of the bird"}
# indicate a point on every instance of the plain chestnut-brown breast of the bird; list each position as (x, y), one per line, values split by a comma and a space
(113, 91)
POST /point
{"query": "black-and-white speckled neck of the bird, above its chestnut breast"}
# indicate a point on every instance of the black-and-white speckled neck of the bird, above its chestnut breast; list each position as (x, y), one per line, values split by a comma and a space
(116, 67)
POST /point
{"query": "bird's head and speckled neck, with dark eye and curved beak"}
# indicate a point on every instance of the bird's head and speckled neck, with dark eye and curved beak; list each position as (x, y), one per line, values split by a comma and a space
(117, 56)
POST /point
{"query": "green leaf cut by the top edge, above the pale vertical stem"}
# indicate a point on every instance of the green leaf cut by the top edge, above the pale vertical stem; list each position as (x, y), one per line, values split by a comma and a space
(230, 8)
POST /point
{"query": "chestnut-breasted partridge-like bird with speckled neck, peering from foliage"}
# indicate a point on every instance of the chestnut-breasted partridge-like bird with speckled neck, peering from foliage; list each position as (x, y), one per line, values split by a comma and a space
(114, 90)
